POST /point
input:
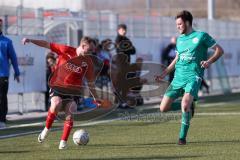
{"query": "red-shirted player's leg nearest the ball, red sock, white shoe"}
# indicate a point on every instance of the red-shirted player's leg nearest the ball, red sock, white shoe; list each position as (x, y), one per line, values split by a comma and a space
(69, 109)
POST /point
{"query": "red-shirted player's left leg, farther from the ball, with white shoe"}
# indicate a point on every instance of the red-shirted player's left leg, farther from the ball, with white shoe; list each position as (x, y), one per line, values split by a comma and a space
(56, 103)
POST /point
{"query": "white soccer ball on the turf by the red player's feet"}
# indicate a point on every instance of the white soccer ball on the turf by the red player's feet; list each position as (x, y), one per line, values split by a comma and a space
(81, 137)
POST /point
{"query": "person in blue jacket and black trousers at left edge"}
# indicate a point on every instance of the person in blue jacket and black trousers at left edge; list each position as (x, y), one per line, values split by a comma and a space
(6, 53)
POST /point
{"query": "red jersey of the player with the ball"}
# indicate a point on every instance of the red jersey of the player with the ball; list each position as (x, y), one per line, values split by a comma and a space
(70, 69)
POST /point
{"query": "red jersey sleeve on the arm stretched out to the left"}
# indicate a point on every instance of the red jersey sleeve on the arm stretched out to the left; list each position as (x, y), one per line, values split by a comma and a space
(61, 49)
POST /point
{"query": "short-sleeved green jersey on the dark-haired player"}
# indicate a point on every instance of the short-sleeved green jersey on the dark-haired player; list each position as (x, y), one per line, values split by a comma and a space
(191, 50)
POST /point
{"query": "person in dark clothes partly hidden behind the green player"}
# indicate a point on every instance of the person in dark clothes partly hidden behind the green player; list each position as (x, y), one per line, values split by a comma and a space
(168, 55)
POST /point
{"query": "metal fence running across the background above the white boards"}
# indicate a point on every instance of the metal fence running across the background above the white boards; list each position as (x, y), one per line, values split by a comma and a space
(104, 23)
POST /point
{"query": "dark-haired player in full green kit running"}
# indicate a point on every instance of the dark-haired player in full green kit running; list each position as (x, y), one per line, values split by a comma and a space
(189, 64)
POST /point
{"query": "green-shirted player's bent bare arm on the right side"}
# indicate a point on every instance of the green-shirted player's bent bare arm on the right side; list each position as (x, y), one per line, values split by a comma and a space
(217, 54)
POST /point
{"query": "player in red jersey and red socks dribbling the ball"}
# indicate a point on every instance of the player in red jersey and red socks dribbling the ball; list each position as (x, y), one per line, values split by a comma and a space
(74, 75)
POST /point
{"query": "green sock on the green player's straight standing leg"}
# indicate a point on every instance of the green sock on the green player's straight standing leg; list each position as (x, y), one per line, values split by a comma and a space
(185, 125)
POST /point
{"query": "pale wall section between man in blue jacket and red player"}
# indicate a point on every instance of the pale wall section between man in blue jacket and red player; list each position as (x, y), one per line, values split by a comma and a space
(32, 66)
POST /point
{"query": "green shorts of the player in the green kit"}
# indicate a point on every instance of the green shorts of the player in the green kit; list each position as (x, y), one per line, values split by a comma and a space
(191, 87)
